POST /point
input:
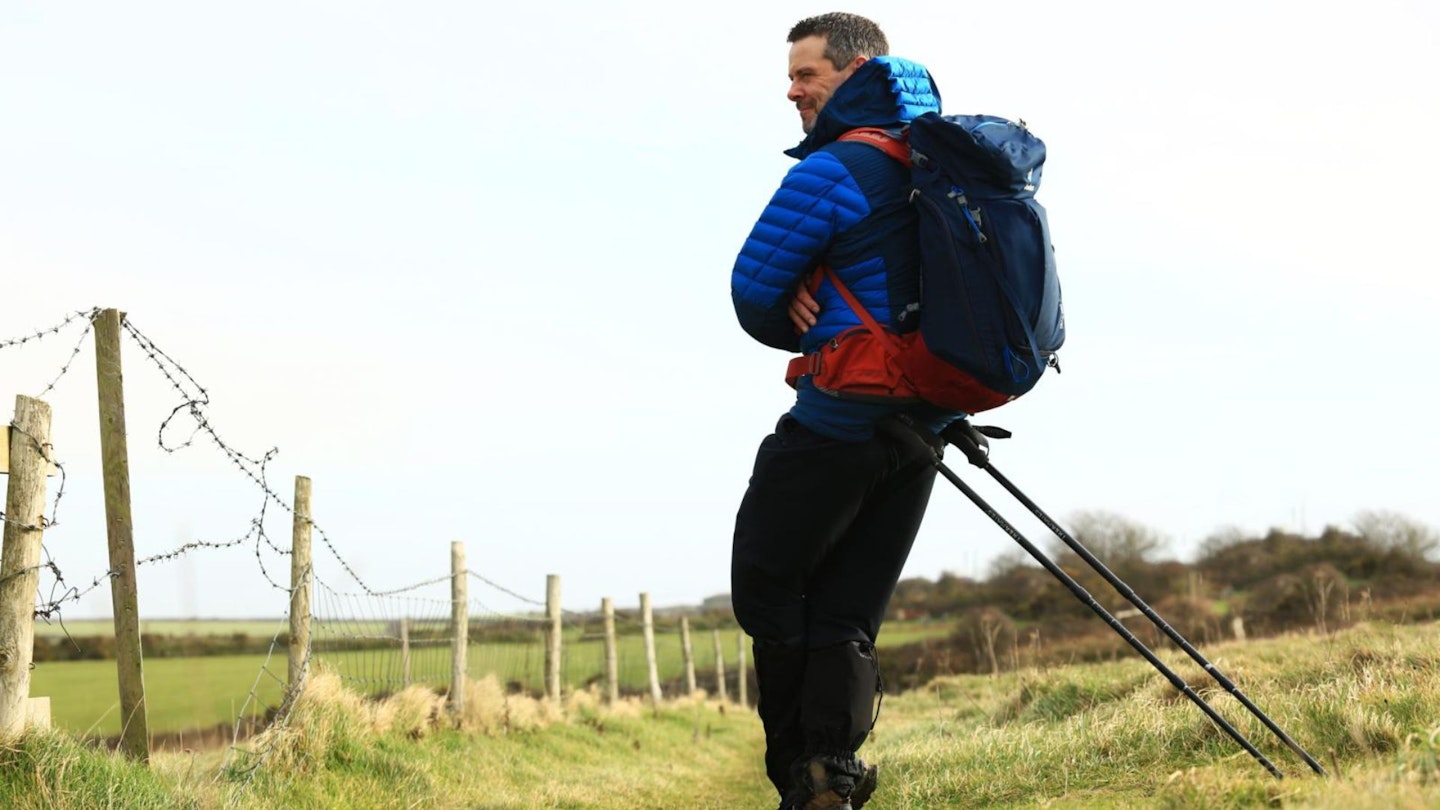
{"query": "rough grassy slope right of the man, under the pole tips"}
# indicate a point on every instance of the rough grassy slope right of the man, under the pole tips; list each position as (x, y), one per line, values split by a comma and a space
(1364, 703)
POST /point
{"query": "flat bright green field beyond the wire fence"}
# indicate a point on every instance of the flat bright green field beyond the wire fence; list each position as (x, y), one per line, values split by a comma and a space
(201, 693)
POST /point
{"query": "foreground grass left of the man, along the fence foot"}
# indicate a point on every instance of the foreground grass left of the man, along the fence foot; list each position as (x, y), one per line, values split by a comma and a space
(345, 752)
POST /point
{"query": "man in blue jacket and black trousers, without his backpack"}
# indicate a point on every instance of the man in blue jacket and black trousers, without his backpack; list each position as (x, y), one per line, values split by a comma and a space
(833, 508)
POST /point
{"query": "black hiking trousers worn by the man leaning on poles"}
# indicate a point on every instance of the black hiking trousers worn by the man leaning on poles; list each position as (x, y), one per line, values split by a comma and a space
(820, 543)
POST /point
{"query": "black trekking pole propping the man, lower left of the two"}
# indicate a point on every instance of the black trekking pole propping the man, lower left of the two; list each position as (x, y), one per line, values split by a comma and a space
(915, 436)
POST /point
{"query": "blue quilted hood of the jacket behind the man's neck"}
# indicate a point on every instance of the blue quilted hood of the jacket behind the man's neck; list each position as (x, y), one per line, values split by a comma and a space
(886, 92)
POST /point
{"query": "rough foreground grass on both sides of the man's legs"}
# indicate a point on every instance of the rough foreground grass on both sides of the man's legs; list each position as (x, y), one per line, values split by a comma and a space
(1114, 736)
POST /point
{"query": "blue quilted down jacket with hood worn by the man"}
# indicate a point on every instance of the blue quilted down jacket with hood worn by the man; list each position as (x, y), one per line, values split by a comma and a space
(845, 205)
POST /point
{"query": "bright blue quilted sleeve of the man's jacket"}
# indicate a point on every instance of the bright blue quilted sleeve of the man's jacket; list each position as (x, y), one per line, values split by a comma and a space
(817, 201)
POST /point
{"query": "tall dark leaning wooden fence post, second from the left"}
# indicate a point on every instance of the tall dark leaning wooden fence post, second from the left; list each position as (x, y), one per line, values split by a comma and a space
(135, 729)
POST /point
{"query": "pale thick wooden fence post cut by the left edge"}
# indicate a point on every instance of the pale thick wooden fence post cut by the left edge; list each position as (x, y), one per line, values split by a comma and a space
(21, 560)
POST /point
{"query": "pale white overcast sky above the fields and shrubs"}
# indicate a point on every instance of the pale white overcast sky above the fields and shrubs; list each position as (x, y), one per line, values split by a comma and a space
(470, 272)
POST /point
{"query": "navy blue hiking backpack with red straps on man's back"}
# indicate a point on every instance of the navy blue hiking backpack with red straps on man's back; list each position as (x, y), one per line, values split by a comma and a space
(991, 318)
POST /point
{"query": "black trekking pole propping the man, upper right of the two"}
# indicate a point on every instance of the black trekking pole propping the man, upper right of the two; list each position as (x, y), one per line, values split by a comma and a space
(971, 442)
